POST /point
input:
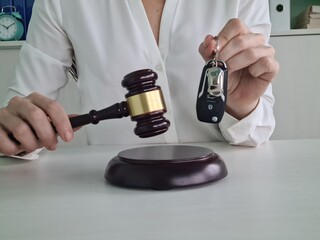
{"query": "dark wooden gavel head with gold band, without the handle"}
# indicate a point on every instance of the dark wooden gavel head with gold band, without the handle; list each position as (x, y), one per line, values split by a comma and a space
(145, 103)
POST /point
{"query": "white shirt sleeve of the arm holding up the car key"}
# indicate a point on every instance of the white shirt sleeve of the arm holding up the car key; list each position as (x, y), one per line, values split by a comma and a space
(258, 126)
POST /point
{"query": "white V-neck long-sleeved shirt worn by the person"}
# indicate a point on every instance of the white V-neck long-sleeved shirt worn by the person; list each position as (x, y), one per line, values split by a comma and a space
(111, 38)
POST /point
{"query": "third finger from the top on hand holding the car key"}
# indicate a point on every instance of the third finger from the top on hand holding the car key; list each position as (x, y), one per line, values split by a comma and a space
(248, 57)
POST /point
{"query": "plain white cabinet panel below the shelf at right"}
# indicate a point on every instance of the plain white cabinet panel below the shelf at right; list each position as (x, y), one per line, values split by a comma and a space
(297, 87)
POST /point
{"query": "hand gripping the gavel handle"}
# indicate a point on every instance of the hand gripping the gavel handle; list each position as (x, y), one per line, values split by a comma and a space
(30, 120)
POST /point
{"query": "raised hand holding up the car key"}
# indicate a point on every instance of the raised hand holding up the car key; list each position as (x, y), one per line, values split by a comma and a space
(251, 65)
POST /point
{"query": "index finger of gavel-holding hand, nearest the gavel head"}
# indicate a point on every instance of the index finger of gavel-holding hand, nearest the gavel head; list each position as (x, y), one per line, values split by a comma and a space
(57, 115)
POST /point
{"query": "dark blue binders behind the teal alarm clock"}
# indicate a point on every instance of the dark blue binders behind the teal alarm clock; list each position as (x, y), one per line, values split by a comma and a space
(24, 7)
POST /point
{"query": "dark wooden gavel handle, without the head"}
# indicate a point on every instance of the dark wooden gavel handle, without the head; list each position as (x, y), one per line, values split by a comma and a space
(117, 110)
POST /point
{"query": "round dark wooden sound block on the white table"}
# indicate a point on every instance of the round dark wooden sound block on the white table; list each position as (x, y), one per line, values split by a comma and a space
(165, 167)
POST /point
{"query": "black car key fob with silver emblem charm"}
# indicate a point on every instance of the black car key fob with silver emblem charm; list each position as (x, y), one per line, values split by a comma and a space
(212, 93)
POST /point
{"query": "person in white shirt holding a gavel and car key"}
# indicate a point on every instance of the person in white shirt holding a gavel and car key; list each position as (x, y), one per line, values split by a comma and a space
(109, 39)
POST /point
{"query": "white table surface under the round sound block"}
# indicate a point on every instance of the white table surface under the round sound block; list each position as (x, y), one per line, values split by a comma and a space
(271, 192)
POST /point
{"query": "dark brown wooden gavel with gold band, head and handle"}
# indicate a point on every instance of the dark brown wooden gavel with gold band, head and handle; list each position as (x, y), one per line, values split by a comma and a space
(144, 103)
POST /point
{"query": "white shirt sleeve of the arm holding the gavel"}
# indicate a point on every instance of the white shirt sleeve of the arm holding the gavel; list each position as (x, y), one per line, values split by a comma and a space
(46, 55)
